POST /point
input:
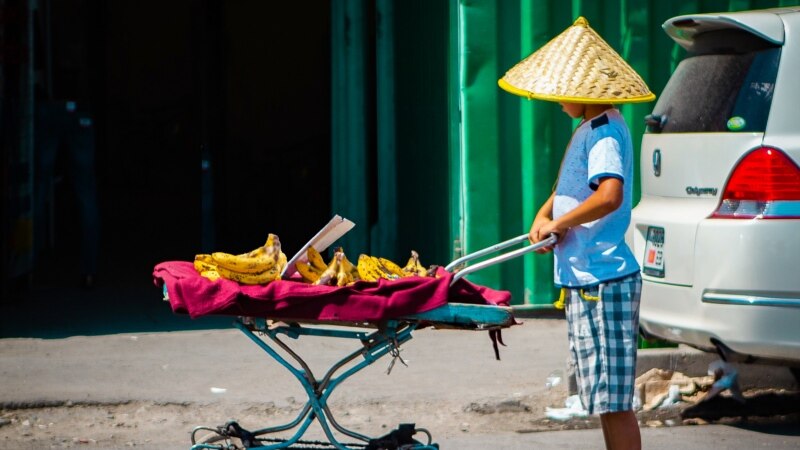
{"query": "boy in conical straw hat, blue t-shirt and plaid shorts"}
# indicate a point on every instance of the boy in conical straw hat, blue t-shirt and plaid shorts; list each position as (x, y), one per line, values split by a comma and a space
(590, 212)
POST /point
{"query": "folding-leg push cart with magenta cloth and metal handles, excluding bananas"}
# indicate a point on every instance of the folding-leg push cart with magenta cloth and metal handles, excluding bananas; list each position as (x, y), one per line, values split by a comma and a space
(378, 317)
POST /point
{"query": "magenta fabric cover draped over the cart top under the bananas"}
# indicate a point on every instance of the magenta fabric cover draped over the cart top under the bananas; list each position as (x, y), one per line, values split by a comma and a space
(190, 293)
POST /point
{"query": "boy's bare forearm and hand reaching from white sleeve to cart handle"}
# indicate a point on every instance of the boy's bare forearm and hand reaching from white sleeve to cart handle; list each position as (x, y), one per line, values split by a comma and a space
(605, 200)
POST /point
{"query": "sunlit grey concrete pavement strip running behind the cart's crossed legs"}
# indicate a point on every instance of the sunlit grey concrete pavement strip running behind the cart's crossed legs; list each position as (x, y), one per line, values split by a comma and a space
(182, 366)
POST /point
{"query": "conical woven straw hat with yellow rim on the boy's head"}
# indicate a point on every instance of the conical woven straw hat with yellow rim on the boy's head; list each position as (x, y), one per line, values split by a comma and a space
(577, 66)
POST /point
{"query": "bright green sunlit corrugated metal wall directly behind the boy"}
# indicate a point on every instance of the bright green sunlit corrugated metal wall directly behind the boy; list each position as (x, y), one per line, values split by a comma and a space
(509, 149)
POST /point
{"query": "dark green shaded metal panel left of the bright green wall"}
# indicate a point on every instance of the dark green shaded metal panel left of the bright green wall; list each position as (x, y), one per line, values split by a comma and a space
(390, 126)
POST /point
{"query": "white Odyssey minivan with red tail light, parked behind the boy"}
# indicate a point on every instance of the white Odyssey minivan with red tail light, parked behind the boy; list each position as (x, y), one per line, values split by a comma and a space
(717, 230)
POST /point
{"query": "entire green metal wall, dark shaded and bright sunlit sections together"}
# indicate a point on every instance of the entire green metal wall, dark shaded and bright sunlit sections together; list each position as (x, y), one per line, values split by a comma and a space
(429, 154)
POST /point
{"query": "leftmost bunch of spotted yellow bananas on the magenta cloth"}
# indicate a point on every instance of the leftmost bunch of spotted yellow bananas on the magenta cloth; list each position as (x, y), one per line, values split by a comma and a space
(260, 266)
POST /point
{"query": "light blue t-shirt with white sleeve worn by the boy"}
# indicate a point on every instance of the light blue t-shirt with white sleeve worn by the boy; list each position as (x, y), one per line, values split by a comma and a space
(594, 252)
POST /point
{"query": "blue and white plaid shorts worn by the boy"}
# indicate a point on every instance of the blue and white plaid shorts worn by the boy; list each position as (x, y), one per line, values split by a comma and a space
(603, 328)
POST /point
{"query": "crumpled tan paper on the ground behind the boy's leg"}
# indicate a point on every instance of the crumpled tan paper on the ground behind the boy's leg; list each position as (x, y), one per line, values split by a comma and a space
(659, 388)
